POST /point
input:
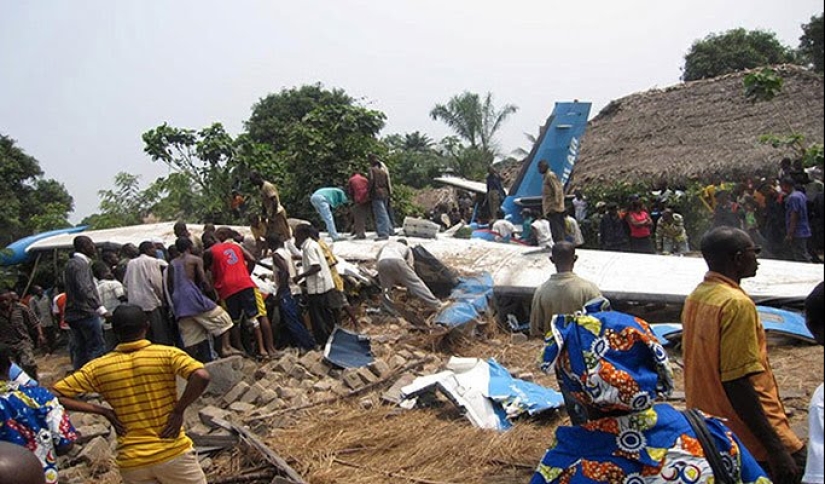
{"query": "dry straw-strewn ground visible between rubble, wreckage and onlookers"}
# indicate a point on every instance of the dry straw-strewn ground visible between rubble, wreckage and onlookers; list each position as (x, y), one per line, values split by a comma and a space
(362, 440)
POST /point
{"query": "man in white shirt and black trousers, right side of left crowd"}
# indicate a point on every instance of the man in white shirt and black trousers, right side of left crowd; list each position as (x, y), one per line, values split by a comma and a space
(320, 286)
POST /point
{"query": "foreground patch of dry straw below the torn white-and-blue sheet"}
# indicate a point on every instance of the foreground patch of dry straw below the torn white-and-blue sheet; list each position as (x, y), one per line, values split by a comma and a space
(345, 443)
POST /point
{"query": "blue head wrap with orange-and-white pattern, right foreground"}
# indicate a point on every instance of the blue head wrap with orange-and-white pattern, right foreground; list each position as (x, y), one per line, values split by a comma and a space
(608, 360)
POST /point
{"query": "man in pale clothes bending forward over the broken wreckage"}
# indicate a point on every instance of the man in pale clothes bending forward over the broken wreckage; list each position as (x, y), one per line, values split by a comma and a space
(395, 268)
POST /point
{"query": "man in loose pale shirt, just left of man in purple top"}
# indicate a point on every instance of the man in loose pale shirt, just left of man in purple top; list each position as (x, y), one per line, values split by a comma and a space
(144, 287)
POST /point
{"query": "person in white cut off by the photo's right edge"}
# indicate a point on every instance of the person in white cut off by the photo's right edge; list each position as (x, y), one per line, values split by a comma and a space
(815, 320)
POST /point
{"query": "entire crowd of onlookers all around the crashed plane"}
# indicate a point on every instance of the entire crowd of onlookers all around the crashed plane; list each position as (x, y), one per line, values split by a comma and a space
(136, 319)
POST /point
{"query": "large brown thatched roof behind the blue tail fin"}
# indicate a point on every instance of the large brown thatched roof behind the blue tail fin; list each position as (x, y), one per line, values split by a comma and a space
(699, 131)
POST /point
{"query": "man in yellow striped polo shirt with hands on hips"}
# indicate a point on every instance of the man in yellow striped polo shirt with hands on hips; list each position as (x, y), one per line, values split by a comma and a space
(138, 380)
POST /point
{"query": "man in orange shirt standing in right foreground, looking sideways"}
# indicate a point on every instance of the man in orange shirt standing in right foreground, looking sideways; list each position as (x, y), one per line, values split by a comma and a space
(727, 372)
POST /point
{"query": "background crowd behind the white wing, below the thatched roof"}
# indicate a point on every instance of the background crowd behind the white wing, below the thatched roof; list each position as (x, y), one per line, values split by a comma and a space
(784, 214)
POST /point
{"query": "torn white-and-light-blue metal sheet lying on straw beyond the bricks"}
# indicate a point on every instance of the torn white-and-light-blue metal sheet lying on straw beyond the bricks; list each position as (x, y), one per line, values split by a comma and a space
(485, 390)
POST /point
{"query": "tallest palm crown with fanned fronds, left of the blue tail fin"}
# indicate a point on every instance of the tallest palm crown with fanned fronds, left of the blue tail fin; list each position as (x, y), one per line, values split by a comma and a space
(473, 120)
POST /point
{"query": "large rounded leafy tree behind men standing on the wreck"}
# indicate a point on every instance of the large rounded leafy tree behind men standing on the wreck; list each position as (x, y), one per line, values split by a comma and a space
(318, 138)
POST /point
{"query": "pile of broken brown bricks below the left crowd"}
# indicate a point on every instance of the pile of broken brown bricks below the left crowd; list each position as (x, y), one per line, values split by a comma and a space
(261, 396)
